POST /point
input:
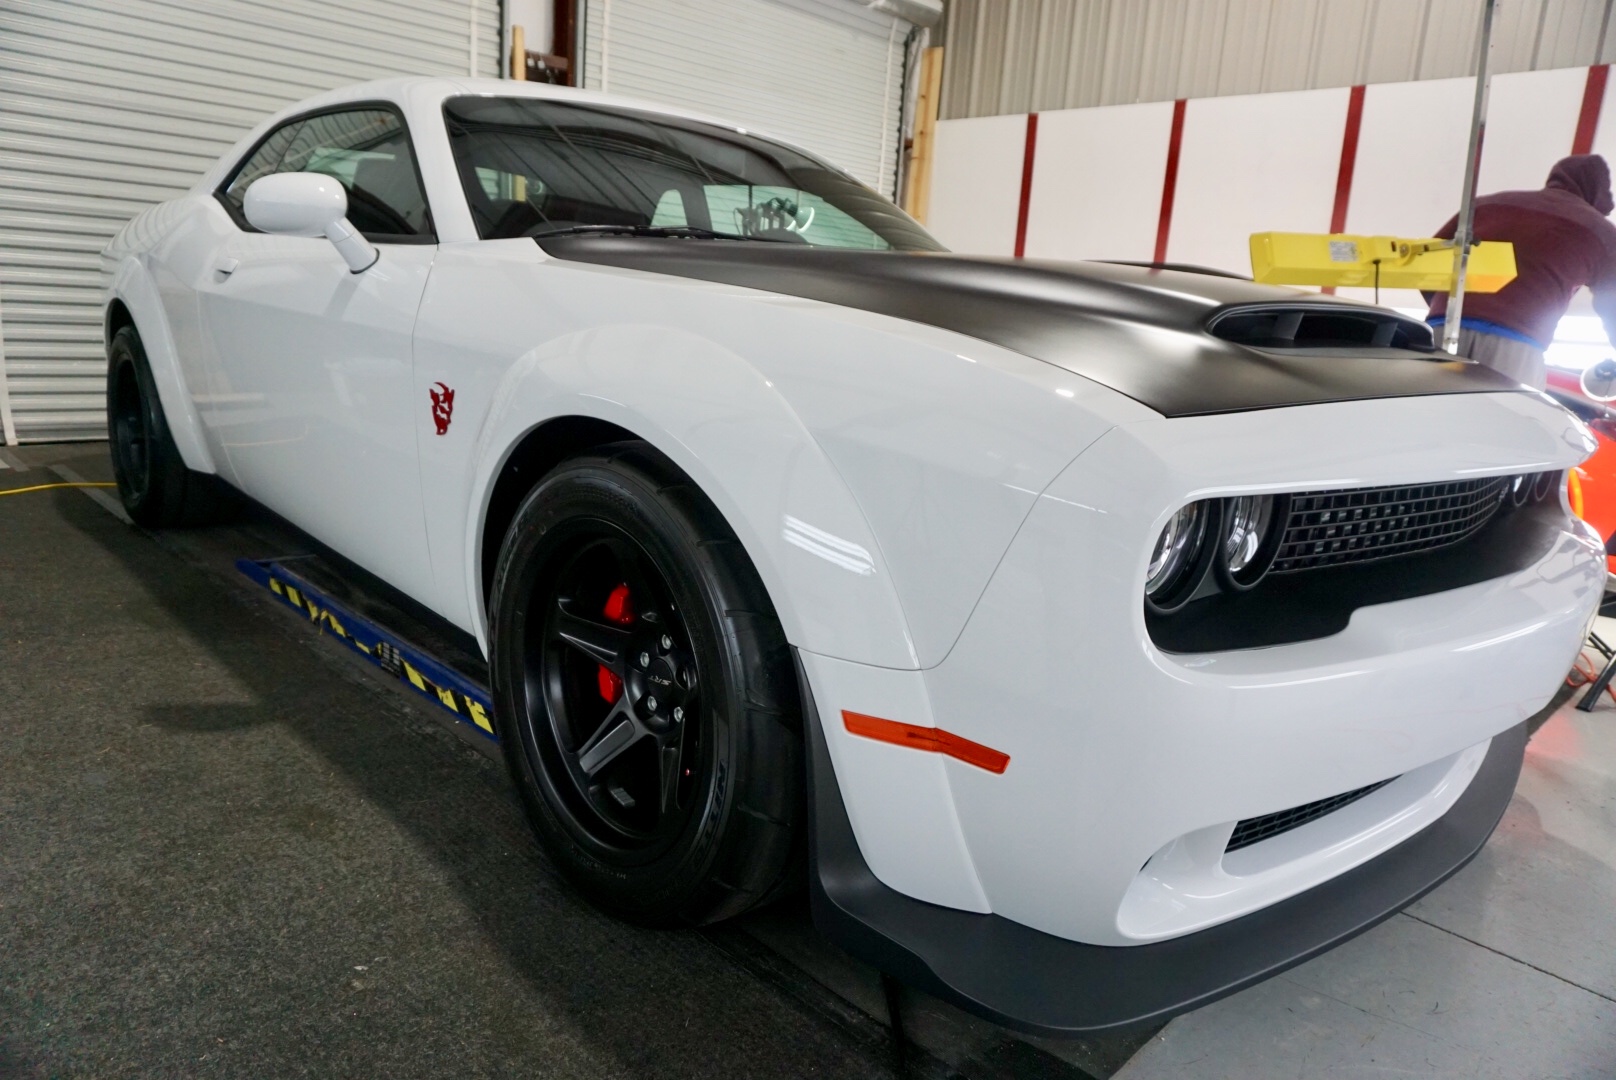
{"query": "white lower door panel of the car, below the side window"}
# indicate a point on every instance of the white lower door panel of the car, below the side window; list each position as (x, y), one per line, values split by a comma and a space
(313, 394)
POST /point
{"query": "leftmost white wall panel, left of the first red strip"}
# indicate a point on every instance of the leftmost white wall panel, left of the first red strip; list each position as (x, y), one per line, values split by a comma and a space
(977, 184)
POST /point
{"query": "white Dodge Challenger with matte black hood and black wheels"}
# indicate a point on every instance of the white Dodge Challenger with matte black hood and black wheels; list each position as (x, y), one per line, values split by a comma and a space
(1100, 639)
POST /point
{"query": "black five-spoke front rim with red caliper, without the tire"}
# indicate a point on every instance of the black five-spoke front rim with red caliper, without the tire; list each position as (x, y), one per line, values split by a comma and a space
(613, 694)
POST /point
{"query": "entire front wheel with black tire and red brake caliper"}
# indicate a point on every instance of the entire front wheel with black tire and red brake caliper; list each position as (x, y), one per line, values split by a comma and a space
(646, 694)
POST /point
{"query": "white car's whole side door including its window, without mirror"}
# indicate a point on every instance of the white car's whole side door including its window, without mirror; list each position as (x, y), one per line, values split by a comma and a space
(309, 390)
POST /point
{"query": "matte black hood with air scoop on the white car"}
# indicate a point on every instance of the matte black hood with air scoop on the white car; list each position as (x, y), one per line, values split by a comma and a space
(1092, 319)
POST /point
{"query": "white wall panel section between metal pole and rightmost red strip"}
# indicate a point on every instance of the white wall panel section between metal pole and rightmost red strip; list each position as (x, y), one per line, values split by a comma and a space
(1531, 122)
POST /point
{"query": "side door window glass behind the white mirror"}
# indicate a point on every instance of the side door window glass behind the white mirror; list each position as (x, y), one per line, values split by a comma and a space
(369, 153)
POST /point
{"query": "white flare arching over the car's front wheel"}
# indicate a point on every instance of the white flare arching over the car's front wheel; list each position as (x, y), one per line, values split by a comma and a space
(726, 426)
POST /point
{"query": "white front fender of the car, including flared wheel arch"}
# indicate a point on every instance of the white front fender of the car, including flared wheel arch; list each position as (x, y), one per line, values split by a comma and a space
(875, 470)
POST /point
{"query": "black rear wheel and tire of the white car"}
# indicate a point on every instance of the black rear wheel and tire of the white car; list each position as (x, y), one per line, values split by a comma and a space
(154, 484)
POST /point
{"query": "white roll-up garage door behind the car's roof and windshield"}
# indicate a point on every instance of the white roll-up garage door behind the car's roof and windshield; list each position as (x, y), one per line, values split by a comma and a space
(822, 74)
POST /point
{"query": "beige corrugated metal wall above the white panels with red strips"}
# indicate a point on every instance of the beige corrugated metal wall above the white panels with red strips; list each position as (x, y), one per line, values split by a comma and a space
(1035, 56)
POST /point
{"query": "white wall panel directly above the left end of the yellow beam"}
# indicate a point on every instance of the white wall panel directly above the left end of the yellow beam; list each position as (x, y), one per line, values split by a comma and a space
(1255, 164)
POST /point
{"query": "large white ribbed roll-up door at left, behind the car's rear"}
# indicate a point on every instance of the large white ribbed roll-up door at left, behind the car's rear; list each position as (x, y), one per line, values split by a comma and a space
(111, 106)
